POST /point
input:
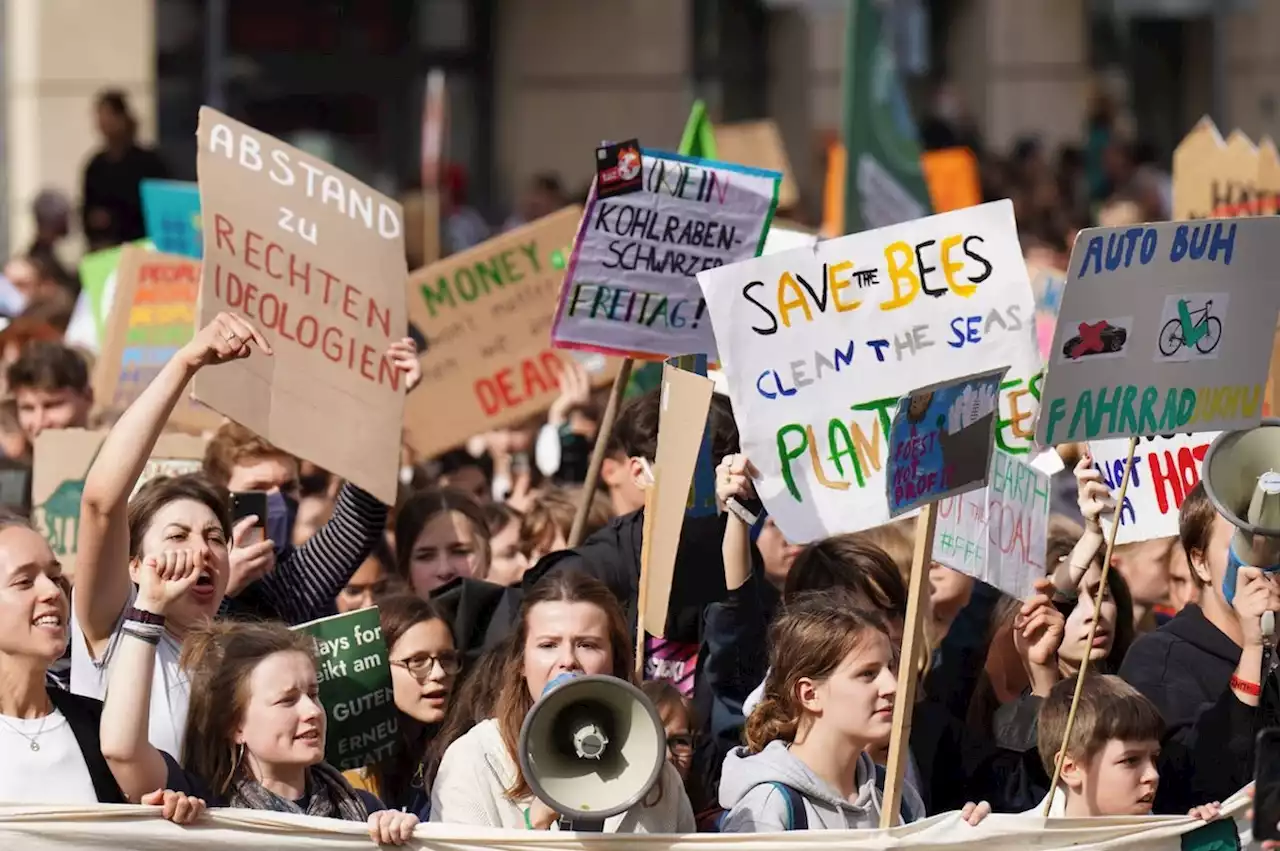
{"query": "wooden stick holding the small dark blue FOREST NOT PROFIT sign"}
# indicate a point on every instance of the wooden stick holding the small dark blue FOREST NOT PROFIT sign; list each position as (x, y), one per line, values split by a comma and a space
(909, 667)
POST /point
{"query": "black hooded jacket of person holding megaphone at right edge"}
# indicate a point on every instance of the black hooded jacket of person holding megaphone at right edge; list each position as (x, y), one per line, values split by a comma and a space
(1186, 670)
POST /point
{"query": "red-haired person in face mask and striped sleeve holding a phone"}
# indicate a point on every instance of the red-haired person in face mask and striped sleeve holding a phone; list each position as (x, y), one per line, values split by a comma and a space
(272, 579)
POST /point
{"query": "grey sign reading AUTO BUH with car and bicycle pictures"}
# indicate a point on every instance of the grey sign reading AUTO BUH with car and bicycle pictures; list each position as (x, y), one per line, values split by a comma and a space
(1164, 328)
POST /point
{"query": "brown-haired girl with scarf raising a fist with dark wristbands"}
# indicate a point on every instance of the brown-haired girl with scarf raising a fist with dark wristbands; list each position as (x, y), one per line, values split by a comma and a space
(257, 734)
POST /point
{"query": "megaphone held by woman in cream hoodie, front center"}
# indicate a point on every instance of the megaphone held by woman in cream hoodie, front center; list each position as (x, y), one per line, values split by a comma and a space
(592, 747)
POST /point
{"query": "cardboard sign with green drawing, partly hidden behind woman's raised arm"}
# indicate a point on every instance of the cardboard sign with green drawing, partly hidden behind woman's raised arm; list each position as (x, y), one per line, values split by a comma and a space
(62, 459)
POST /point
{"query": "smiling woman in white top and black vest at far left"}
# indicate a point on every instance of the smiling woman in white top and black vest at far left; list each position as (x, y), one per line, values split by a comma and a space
(49, 738)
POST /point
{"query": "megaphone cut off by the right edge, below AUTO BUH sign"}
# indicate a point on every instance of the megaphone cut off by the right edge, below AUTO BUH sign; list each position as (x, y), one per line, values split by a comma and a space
(1242, 479)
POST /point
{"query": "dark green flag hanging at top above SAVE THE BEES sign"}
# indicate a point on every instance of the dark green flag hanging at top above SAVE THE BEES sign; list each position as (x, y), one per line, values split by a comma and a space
(884, 184)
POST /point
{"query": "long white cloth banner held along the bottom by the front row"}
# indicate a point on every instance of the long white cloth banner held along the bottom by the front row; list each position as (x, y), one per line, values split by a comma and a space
(140, 829)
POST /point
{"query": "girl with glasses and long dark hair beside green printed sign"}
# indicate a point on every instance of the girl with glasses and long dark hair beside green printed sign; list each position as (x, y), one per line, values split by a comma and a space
(424, 669)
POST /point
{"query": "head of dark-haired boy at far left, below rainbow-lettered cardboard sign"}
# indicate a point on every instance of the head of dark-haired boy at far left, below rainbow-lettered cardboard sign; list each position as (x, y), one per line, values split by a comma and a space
(51, 383)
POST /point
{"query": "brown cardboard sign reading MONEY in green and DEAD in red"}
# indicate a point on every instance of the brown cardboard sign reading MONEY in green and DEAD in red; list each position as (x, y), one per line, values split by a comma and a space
(486, 315)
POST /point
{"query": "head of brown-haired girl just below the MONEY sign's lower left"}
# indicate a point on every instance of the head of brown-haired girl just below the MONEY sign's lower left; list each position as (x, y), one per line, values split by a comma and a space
(441, 536)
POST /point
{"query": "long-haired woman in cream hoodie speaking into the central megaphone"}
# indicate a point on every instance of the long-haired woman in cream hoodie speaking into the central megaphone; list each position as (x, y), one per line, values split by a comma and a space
(570, 625)
